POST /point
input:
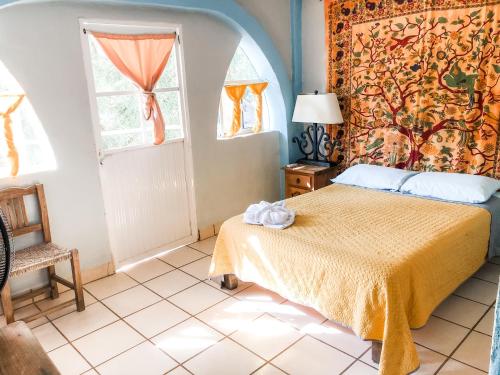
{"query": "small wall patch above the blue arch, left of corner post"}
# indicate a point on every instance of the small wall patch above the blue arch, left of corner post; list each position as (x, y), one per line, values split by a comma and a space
(274, 16)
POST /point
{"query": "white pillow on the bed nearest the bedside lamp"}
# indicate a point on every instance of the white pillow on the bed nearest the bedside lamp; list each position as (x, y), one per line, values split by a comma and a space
(374, 177)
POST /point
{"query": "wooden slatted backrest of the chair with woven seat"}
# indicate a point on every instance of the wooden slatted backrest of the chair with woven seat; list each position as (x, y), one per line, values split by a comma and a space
(13, 205)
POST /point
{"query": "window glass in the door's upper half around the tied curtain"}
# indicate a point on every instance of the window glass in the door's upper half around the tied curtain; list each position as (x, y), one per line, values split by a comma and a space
(120, 106)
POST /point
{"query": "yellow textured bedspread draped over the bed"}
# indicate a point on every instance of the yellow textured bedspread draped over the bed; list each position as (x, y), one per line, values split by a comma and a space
(377, 262)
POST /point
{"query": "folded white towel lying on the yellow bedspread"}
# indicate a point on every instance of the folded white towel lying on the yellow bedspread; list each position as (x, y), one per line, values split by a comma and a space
(271, 215)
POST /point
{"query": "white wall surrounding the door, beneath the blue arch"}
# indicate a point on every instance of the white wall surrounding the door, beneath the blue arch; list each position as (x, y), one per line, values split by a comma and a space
(40, 45)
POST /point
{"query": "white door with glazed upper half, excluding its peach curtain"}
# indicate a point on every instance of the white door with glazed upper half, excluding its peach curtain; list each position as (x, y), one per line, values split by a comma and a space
(147, 189)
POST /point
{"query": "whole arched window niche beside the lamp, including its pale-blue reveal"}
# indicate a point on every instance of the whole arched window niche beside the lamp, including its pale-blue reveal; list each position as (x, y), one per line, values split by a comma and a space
(249, 67)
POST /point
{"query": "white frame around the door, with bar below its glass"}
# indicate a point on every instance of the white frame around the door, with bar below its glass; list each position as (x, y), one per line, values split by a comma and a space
(151, 27)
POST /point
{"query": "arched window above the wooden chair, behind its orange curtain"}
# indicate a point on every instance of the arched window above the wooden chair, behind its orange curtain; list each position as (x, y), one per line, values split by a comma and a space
(30, 140)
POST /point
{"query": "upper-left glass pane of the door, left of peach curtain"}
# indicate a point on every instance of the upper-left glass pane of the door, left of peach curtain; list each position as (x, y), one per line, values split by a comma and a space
(106, 76)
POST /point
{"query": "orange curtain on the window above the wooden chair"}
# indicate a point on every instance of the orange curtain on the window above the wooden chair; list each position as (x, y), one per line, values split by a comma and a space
(8, 104)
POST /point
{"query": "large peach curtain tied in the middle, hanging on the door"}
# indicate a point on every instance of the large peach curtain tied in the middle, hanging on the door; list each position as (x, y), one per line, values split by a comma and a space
(142, 59)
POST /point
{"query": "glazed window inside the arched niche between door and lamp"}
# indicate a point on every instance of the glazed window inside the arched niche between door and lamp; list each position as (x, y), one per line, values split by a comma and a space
(241, 72)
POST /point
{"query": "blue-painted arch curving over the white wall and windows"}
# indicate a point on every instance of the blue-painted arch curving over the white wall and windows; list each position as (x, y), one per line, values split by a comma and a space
(253, 37)
